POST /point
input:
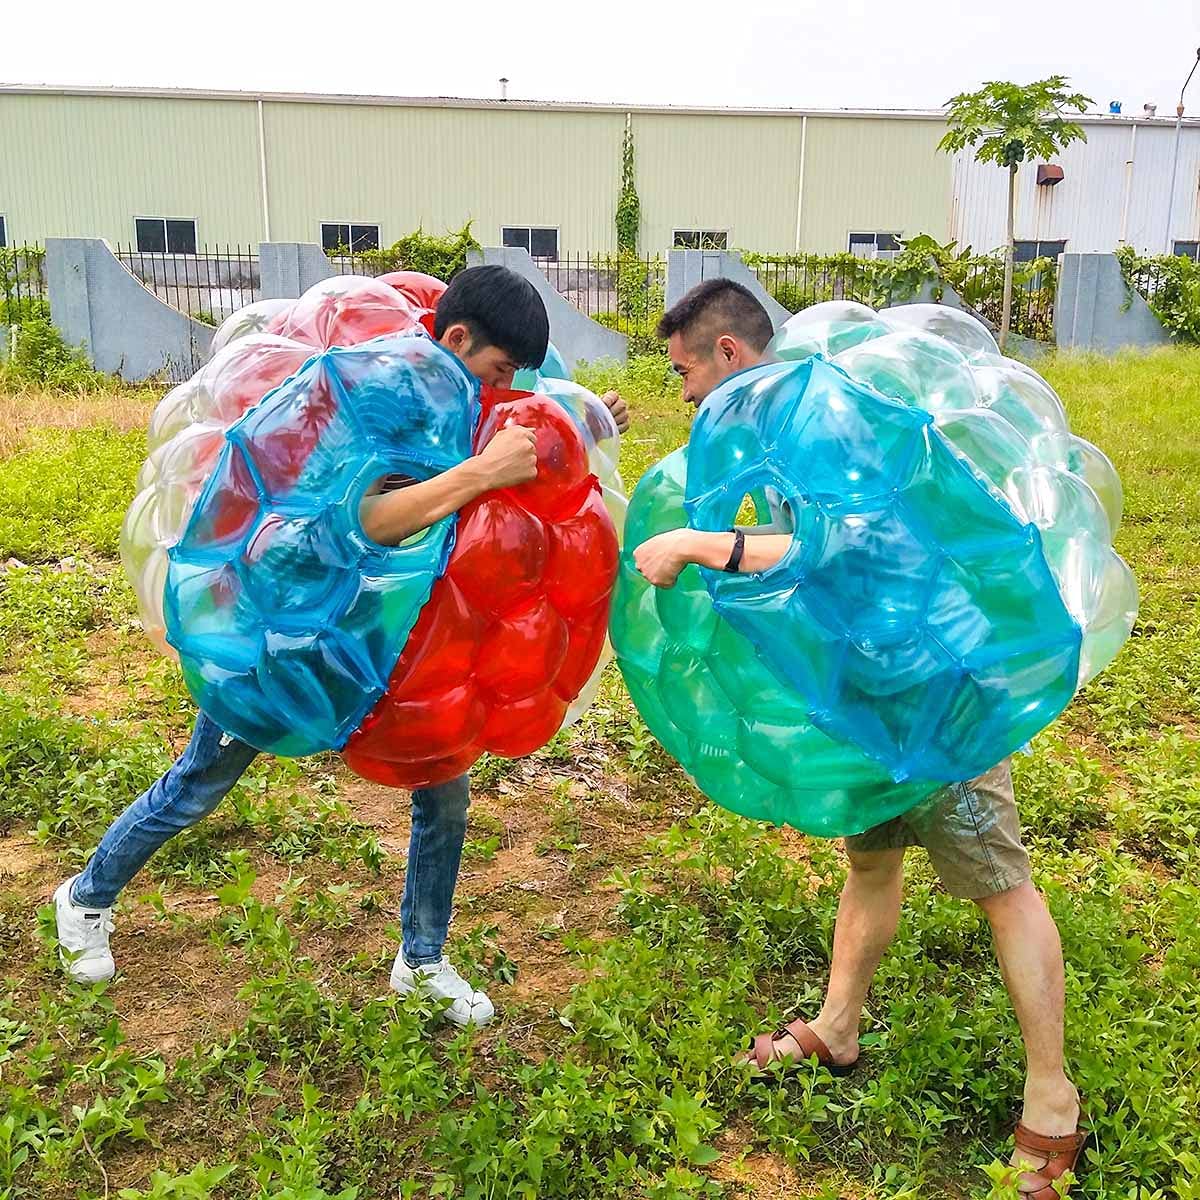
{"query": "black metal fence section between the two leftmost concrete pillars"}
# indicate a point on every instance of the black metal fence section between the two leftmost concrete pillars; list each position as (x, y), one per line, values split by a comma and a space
(207, 286)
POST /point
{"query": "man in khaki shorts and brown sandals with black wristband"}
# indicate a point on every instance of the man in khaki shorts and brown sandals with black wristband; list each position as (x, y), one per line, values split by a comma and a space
(970, 831)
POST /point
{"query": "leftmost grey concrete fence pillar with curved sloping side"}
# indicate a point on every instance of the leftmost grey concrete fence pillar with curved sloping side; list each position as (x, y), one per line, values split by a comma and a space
(124, 328)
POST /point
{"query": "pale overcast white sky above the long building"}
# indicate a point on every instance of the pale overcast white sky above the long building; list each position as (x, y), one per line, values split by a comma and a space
(838, 53)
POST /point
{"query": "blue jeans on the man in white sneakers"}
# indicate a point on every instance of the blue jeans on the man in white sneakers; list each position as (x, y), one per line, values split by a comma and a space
(202, 778)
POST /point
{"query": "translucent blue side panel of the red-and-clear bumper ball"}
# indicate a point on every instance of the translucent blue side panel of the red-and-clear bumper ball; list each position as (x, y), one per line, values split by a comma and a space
(265, 580)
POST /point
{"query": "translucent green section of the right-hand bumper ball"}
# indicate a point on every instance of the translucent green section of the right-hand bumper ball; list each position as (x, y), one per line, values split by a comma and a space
(707, 697)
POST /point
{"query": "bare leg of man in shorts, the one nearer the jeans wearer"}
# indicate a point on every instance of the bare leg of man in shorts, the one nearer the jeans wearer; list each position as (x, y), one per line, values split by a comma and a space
(868, 915)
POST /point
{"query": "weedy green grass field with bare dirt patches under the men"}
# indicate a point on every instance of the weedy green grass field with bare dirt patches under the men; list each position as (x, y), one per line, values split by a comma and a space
(632, 934)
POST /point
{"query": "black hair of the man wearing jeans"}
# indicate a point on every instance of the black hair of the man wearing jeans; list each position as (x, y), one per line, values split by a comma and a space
(501, 309)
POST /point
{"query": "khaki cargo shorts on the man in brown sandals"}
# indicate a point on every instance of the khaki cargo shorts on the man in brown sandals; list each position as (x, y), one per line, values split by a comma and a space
(971, 832)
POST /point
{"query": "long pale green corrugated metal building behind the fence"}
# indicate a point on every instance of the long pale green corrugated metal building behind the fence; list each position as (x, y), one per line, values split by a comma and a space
(247, 167)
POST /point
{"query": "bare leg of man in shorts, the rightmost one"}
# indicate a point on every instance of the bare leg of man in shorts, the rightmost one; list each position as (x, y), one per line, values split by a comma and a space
(1030, 956)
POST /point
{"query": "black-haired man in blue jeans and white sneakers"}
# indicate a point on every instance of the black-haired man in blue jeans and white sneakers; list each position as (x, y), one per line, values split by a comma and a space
(496, 323)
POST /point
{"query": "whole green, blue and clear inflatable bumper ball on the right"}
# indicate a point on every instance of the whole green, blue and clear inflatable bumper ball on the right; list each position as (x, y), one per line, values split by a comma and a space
(951, 586)
